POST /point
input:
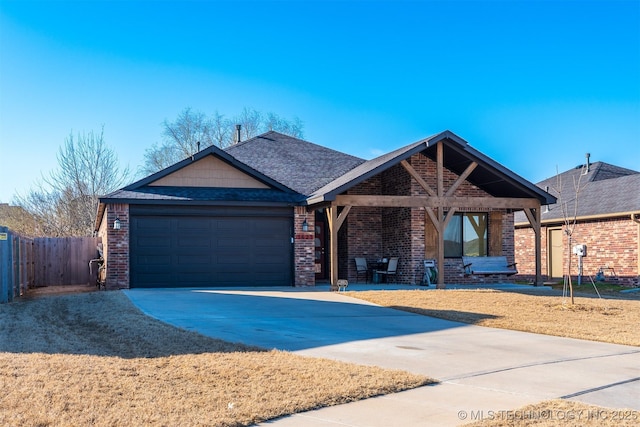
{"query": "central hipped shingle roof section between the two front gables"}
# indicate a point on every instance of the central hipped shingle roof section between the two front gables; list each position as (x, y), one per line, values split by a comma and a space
(300, 165)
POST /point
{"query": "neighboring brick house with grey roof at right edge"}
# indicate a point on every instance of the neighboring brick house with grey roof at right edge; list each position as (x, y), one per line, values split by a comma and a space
(607, 223)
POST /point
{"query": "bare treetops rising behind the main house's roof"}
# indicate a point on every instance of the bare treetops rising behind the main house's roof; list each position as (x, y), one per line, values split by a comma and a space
(193, 130)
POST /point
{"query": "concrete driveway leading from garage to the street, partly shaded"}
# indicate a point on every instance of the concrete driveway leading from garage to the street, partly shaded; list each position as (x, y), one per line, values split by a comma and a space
(482, 371)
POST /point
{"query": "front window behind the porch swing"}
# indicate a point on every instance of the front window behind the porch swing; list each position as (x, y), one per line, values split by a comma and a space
(466, 235)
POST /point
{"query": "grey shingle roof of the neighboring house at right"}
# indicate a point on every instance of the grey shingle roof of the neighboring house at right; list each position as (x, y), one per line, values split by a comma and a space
(605, 190)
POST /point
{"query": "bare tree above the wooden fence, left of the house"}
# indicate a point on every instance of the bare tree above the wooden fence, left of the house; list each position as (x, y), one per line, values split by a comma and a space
(65, 202)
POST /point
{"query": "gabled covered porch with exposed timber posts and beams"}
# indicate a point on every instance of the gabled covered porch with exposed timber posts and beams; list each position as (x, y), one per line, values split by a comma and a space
(405, 204)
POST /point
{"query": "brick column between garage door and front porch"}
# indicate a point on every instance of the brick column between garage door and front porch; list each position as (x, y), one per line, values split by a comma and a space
(304, 260)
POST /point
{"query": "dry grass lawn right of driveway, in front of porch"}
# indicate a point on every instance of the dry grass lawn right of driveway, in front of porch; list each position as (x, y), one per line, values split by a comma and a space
(608, 320)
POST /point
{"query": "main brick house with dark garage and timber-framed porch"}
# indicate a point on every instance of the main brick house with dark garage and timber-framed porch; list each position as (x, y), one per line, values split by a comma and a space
(276, 210)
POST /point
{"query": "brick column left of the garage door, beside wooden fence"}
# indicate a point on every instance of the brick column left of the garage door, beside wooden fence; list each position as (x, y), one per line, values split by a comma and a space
(117, 247)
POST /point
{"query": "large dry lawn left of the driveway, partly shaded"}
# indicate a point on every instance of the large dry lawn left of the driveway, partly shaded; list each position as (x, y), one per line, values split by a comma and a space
(94, 359)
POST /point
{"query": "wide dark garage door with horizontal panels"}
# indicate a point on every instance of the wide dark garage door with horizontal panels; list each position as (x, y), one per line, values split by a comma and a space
(208, 247)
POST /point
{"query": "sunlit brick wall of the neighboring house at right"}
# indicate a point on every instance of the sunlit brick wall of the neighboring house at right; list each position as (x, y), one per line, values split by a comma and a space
(610, 242)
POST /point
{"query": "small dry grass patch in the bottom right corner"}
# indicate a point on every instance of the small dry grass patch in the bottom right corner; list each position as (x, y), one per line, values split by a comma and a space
(554, 413)
